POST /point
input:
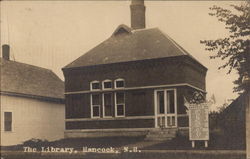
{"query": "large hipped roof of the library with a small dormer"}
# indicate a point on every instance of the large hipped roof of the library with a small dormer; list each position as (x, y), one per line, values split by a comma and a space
(130, 45)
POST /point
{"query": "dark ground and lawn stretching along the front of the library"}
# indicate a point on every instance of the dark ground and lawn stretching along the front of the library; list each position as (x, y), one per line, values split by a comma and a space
(178, 148)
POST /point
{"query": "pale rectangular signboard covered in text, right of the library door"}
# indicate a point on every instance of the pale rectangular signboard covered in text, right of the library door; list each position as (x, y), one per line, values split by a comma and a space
(198, 121)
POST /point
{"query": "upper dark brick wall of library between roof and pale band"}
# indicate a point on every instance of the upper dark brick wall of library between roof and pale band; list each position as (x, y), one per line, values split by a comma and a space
(140, 73)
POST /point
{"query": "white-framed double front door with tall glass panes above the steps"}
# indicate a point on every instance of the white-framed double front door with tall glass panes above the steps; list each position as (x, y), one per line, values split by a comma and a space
(165, 108)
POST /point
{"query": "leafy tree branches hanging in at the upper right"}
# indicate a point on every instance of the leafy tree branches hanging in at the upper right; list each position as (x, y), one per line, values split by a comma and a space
(235, 48)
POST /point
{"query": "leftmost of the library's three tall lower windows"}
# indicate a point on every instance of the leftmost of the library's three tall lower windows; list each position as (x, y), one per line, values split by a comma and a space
(95, 105)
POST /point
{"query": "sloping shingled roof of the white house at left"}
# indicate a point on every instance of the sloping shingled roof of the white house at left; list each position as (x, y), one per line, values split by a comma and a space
(29, 80)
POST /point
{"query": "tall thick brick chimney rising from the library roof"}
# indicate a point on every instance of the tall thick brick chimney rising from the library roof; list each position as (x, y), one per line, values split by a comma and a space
(137, 9)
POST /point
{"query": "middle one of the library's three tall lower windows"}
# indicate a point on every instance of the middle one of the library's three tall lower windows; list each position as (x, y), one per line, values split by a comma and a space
(107, 104)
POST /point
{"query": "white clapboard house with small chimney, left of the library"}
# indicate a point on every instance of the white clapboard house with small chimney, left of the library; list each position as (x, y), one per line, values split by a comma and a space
(32, 102)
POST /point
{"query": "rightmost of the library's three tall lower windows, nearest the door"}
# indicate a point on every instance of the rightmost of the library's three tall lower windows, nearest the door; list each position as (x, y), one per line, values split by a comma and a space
(120, 104)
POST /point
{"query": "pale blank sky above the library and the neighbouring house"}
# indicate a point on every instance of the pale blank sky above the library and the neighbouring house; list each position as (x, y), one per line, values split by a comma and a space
(51, 34)
